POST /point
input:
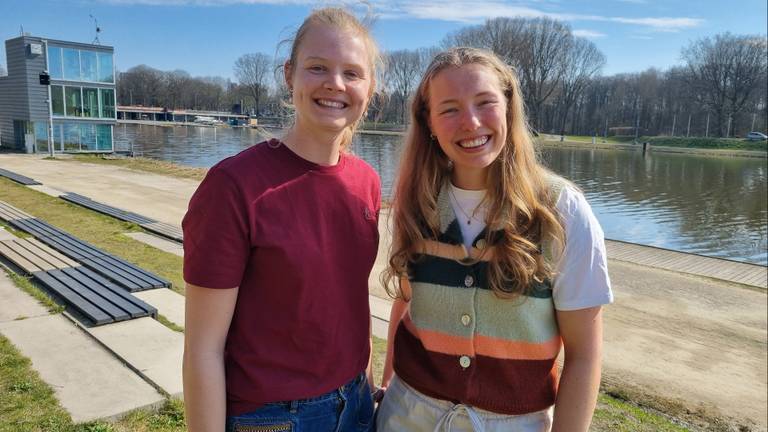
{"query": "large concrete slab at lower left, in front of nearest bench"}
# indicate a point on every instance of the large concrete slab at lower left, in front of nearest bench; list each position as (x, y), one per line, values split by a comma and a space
(88, 381)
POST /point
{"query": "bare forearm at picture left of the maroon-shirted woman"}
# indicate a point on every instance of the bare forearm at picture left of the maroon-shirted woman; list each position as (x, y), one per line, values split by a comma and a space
(204, 392)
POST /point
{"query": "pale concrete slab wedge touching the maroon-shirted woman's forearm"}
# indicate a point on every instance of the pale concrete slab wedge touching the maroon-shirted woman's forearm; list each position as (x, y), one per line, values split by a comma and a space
(150, 348)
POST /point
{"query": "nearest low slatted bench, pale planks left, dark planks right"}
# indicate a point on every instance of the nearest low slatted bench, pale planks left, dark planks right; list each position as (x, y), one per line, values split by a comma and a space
(94, 297)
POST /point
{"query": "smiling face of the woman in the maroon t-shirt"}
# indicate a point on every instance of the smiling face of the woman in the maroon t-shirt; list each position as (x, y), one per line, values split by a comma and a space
(331, 80)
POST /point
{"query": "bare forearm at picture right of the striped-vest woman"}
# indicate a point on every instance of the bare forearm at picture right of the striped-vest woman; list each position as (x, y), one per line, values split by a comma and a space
(577, 395)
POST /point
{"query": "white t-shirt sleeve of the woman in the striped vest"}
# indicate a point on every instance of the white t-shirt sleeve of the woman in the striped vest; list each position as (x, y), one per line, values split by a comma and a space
(581, 279)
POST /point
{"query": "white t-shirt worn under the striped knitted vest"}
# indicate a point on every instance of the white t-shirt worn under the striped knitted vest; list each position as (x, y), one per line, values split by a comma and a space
(581, 275)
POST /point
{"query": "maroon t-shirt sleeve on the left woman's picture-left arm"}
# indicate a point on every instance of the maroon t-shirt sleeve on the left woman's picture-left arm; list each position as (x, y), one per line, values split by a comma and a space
(216, 234)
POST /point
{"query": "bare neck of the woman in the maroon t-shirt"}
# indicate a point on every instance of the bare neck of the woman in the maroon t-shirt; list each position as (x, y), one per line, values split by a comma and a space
(320, 147)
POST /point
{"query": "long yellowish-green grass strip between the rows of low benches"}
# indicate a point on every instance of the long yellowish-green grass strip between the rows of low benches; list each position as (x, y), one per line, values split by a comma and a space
(100, 230)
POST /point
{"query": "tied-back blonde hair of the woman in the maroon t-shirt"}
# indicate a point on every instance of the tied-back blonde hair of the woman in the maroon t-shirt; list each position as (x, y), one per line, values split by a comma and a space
(341, 19)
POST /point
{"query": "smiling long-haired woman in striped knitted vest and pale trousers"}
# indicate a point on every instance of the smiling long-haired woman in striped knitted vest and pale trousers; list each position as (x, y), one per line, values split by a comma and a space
(497, 264)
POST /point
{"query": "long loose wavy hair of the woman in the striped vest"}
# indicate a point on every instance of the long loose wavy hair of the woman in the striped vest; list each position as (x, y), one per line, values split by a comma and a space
(520, 206)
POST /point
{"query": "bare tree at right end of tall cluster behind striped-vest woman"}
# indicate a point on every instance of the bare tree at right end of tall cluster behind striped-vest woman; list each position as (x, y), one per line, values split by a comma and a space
(583, 62)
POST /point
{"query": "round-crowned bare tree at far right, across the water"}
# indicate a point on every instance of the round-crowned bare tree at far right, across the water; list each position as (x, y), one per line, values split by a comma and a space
(724, 71)
